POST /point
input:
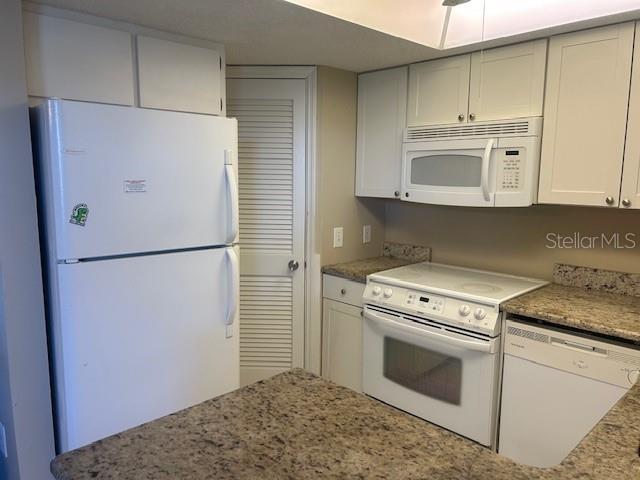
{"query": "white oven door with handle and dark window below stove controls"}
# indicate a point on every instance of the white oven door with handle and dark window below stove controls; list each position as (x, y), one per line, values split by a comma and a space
(445, 377)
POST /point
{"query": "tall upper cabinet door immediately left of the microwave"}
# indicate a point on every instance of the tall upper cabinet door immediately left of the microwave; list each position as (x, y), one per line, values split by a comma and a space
(382, 106)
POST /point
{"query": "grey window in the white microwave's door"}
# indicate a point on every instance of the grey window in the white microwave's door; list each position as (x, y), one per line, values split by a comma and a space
(446, 170)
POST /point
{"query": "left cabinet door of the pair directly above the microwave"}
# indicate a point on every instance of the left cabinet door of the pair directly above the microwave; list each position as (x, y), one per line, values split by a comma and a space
(439, 91)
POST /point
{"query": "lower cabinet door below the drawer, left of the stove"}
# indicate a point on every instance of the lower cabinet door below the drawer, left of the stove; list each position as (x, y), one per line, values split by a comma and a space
(342, 344)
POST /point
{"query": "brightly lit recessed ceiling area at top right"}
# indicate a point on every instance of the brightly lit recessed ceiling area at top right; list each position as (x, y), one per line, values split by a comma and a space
(430, 23)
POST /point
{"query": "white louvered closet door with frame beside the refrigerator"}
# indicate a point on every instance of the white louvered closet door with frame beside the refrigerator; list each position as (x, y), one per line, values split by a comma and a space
(271, 160)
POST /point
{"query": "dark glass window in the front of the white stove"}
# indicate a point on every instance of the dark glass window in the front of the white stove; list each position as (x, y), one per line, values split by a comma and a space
(424, 371)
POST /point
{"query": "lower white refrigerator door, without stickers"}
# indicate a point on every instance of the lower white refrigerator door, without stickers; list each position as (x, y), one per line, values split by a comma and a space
(138, 338)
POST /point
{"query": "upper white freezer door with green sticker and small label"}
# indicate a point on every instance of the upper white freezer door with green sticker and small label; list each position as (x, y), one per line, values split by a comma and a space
(129, 180)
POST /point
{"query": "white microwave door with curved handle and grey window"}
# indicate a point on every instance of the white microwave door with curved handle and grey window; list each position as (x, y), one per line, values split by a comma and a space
(451, 172)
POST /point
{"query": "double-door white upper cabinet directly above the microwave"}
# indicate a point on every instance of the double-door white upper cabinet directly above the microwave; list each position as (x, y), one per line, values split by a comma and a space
(496, 84)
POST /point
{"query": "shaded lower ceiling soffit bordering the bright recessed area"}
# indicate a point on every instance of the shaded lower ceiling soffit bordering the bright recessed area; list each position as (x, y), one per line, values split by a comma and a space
(278, 32)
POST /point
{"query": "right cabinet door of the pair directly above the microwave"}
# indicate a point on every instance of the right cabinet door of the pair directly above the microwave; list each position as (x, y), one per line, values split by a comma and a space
(508, 82)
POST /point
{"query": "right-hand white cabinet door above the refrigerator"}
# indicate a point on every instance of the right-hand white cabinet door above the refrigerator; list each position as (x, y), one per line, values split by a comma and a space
(175, 76)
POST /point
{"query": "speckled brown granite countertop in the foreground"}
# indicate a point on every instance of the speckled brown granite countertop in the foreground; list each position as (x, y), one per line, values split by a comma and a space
(299, 426)
